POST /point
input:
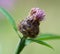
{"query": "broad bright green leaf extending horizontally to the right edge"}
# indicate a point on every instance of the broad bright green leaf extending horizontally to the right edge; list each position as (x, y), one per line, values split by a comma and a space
(47, 37)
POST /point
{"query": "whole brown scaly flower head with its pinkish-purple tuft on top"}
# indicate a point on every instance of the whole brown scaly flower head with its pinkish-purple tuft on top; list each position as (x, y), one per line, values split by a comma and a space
(29, 27)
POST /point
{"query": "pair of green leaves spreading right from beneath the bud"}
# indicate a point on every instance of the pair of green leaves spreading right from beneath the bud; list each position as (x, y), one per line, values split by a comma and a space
(45, 37)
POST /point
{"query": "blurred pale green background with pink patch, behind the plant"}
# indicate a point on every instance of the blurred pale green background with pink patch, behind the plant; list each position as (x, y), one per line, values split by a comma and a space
(19, 10)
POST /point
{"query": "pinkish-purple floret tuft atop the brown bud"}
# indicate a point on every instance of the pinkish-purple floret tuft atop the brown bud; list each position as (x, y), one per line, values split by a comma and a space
(37, 13)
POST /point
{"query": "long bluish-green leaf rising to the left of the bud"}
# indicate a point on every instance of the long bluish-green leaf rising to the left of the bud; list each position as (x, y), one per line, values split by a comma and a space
(10, 19)
